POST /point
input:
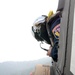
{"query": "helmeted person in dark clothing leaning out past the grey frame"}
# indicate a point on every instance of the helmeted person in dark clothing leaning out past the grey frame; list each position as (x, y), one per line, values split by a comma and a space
(47, 28)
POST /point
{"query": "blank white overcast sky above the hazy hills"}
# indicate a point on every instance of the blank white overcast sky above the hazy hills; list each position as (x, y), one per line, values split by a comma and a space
(16, 19)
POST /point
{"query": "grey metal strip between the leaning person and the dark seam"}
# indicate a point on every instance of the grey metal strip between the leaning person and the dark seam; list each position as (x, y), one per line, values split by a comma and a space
(63, 37)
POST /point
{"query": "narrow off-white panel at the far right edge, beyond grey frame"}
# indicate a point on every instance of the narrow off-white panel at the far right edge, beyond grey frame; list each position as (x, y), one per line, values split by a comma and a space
(72, 67)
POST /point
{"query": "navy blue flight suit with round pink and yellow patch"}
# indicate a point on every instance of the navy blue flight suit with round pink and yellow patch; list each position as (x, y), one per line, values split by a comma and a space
(55, 32)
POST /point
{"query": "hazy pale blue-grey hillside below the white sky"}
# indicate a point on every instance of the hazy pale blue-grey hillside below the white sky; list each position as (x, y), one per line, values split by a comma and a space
(21, 68)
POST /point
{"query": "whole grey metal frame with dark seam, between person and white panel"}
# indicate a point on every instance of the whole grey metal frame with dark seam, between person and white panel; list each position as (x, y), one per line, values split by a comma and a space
(62, 67)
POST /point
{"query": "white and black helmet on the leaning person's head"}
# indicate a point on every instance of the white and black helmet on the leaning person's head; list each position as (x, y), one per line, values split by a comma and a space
(39, 29)
